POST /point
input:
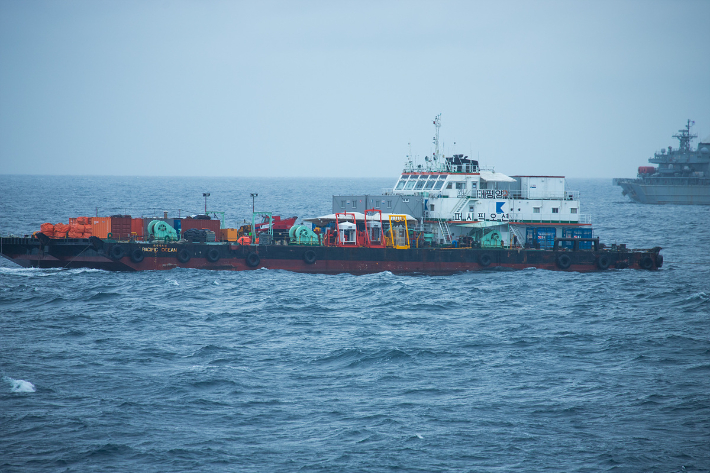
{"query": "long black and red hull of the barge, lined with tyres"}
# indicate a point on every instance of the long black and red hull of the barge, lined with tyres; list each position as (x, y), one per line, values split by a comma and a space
(125, 256)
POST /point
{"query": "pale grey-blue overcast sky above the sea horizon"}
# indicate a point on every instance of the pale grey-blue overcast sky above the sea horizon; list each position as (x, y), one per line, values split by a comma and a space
(583, 89)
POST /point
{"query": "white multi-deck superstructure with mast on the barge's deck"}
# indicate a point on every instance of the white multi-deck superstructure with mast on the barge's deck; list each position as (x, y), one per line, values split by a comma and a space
(462, 200)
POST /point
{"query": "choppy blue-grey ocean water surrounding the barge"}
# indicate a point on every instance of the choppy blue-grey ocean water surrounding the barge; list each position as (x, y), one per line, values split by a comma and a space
(272, 371)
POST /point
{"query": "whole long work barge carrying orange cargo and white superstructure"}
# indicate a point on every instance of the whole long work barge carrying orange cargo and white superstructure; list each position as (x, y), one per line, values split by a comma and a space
(442, 216)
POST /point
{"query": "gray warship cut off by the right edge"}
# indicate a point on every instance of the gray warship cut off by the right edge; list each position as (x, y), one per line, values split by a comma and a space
(682, 175)
